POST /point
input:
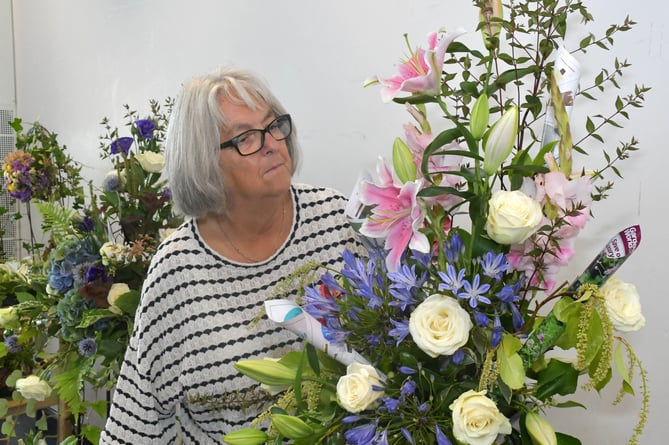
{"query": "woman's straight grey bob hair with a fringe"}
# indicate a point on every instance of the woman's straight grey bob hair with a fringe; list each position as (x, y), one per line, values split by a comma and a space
(193, 137)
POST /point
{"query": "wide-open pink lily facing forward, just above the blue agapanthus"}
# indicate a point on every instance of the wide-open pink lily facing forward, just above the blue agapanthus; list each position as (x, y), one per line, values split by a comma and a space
(396, 216)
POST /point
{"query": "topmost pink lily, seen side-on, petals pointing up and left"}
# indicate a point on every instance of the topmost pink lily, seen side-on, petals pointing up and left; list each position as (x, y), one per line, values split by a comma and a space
(421, 73)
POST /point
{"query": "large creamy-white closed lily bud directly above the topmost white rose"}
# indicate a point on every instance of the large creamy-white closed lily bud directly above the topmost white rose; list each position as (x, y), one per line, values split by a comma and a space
(498, 143)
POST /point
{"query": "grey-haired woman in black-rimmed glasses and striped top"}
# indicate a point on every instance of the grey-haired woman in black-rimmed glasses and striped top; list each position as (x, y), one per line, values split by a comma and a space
(230, 153)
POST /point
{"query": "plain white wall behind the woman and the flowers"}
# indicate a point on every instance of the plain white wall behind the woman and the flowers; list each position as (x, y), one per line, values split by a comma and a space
(80, 60)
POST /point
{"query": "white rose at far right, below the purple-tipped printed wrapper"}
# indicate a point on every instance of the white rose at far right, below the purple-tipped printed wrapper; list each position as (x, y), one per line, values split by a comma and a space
(623, 305)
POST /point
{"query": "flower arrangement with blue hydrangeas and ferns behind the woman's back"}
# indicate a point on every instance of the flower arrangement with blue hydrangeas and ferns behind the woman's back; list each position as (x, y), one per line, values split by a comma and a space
(93, 265)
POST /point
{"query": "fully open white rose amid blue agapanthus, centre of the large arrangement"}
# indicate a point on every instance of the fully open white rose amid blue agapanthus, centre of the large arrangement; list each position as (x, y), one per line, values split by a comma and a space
(439, 325)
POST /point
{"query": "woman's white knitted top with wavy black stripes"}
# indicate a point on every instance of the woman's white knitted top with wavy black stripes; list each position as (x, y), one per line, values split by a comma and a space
(196, 319)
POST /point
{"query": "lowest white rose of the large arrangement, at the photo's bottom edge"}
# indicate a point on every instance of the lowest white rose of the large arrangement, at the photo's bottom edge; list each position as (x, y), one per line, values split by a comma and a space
(476, 419)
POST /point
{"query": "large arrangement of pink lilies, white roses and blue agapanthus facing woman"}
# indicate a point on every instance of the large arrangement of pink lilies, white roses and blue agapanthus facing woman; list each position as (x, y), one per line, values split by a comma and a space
(455, 328)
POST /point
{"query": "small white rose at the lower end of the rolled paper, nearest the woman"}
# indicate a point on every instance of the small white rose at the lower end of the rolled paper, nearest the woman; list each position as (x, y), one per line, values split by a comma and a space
(359, 388)
